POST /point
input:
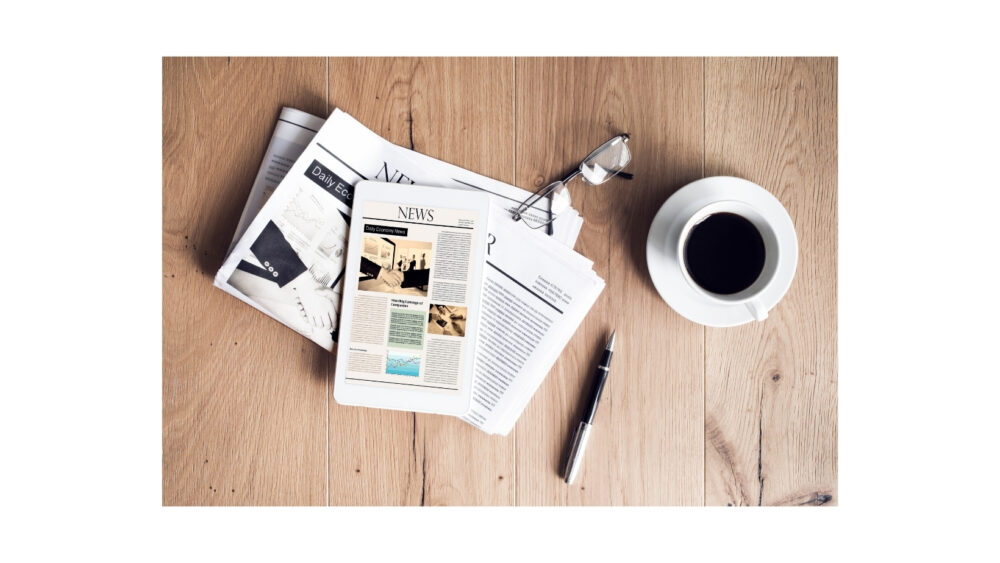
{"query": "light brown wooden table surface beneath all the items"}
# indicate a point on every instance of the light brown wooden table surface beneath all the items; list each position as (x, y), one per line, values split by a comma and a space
(691, 415)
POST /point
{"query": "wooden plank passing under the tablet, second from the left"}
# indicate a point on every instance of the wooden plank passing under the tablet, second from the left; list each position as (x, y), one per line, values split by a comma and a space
(461, 111)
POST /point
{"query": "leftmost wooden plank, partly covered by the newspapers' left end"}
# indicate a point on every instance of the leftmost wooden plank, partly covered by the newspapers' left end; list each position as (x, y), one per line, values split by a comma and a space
(244, 404)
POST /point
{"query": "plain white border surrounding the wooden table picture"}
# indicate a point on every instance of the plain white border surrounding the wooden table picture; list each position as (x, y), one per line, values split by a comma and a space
(81, 406)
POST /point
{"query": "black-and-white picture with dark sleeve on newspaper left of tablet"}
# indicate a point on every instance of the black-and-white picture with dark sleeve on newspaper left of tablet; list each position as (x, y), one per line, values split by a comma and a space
(294, 268)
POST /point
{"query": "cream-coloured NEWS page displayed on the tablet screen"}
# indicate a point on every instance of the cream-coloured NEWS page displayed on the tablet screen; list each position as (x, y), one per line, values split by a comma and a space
(416, 282)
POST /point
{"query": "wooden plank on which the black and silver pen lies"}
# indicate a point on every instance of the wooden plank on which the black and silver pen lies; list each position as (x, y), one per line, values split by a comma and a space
(647, 444)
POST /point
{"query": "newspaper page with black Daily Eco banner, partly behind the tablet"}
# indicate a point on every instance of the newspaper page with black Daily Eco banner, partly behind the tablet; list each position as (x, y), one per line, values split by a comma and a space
(289, 261)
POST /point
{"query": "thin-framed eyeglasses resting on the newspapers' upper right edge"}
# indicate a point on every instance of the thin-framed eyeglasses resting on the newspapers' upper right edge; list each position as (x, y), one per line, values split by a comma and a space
(604, 163)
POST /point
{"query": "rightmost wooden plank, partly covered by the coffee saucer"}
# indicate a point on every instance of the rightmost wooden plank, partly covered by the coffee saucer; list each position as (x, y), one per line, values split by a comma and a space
(771, 387)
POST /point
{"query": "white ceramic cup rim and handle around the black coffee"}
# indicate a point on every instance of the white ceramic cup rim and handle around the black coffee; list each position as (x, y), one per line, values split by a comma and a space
(750, 297)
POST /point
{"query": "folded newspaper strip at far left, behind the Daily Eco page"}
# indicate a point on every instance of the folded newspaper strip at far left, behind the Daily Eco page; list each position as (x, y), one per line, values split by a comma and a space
(292, 134)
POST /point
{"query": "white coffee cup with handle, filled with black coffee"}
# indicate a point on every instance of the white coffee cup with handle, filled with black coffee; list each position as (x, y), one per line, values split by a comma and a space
(729, 254)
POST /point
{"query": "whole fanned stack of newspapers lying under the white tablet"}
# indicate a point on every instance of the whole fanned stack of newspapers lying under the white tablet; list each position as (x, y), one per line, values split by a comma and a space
(288, 256)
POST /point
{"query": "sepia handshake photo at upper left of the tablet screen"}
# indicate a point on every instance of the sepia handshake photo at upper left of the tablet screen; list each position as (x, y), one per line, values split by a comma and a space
(395, 265)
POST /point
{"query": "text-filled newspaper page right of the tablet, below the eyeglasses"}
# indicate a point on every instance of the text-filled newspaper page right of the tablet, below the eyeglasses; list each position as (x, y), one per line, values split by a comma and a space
(535, 295)
